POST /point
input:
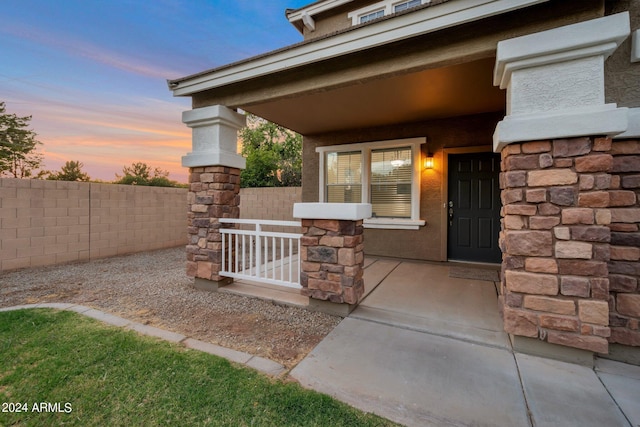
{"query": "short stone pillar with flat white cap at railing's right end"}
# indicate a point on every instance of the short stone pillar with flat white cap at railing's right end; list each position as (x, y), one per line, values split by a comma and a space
(332, 254)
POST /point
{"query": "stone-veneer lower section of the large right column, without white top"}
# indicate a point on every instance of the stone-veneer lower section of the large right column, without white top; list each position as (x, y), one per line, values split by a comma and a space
(555, 241)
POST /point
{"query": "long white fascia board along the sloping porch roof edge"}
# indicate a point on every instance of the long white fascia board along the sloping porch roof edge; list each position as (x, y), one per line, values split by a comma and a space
(420, 22)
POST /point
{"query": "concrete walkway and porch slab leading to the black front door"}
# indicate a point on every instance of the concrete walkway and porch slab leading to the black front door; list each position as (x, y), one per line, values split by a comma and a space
(425, 349)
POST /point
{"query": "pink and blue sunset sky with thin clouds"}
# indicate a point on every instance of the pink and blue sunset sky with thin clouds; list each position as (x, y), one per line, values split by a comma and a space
(93, 73)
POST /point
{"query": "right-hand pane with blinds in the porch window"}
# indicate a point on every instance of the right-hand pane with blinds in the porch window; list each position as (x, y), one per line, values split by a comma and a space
(391, 180)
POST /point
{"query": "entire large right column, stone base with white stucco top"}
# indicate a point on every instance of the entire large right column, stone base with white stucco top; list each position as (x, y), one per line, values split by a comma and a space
(556, 185)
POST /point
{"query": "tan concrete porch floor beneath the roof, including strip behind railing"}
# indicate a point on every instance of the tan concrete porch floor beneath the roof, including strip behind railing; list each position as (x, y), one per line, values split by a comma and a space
(445, 299)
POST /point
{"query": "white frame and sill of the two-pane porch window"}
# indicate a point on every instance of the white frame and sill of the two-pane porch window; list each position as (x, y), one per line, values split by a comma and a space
(413, 223)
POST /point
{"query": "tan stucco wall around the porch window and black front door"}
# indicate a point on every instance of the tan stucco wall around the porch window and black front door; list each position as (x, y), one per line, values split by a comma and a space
(425, 243)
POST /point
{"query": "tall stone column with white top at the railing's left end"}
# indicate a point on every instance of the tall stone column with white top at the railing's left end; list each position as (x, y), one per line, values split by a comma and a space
(214, 187)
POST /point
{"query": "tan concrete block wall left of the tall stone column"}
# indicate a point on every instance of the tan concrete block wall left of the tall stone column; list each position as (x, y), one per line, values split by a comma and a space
(53, 222)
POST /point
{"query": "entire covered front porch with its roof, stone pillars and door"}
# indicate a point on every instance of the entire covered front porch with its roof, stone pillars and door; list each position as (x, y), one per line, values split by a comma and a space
(431, 84)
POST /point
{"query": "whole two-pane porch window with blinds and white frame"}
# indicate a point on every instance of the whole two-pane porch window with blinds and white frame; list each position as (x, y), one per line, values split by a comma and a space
(385, 174)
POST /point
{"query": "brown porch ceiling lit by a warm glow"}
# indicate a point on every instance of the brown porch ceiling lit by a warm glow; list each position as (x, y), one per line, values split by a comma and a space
(451, 91)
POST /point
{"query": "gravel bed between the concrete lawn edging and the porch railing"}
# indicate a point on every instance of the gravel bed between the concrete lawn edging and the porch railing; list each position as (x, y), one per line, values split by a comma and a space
(152, 288)
